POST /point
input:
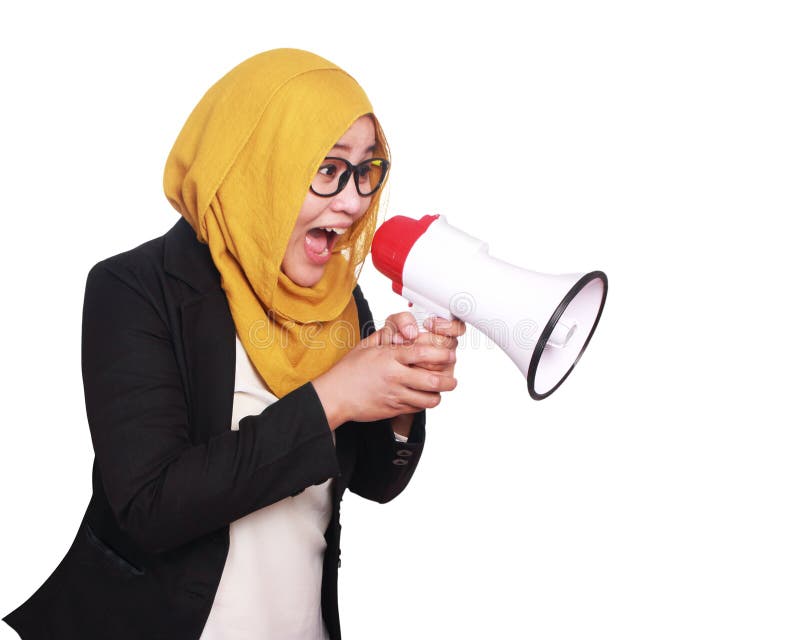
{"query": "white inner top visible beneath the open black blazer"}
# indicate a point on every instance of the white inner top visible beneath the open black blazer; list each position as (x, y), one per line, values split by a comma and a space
(271, 583)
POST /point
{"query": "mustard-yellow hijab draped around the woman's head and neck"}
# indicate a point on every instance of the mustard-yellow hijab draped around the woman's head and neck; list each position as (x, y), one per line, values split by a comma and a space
(239, 172)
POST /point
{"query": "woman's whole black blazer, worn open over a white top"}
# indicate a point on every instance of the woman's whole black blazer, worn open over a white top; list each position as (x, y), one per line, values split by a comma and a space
(158, 358)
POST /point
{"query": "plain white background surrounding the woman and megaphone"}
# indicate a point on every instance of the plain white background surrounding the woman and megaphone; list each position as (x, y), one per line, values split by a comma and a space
(655, 494)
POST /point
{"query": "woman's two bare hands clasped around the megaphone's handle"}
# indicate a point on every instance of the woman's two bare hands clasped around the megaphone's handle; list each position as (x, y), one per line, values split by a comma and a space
(378, 380)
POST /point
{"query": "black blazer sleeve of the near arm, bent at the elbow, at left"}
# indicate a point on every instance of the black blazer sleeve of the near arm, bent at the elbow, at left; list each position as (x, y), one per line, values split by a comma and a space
(164, 489)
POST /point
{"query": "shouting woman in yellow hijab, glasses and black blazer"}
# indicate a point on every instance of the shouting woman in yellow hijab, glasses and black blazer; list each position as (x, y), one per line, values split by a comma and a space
(219, 358)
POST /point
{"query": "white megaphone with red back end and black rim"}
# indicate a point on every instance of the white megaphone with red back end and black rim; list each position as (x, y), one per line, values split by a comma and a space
(543, 322)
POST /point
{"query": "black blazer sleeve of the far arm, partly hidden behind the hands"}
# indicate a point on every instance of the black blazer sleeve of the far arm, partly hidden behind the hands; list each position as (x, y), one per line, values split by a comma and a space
(383, 466)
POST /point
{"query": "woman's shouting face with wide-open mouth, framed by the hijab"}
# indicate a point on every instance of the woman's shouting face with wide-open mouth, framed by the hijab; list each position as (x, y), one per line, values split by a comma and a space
(322, 220)
